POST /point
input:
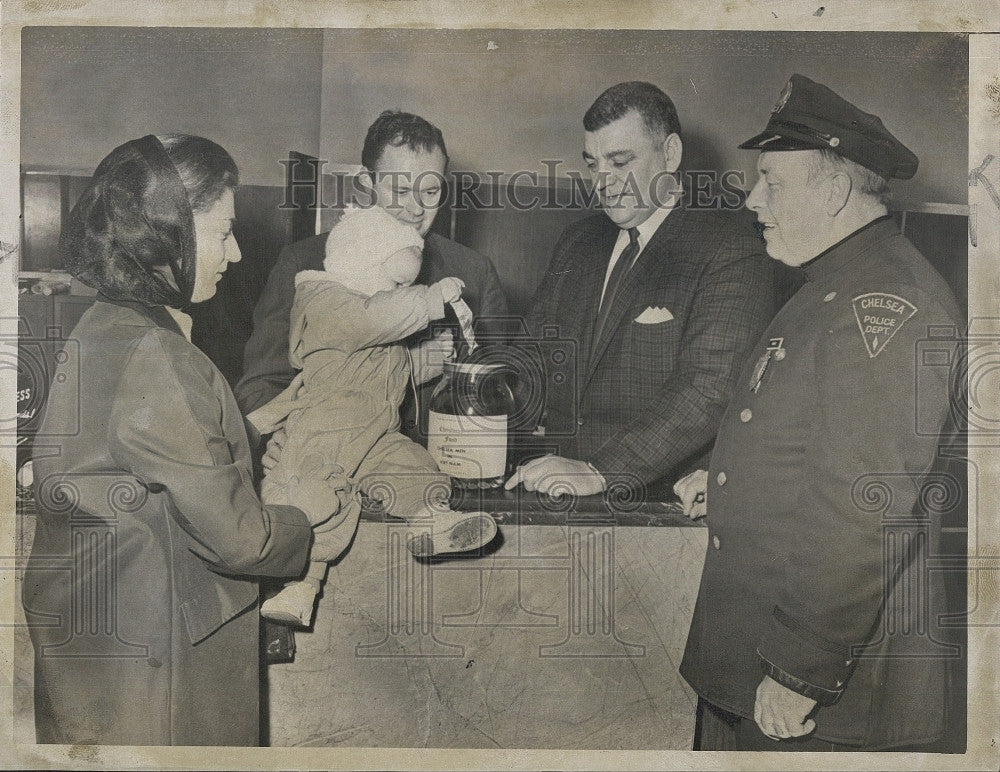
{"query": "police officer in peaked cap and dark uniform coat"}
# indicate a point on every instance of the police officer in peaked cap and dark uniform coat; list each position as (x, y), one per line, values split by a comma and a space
(807, 634)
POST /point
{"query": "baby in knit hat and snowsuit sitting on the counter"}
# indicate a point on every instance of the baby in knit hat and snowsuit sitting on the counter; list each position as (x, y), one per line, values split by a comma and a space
(346, 324)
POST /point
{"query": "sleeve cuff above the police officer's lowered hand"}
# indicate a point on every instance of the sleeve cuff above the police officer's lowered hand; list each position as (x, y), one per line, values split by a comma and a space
(803, 661)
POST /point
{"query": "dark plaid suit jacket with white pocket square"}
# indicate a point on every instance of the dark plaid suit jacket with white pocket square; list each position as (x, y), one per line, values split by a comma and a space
(648, 400)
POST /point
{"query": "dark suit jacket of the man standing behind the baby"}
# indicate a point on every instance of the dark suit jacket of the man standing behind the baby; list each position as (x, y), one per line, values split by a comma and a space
(266, 367)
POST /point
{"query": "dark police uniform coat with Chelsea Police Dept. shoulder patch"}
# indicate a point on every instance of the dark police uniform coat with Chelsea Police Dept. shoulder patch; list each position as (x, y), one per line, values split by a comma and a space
(816, 569)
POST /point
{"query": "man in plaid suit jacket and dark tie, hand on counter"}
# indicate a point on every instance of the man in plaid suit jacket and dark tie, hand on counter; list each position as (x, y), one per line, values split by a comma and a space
(650, 388)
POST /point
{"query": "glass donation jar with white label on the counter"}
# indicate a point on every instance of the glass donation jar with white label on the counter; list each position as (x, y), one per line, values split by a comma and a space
(467, 429)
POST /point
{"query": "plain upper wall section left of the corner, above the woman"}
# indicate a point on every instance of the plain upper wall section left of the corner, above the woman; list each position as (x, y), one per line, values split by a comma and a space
(85, 90)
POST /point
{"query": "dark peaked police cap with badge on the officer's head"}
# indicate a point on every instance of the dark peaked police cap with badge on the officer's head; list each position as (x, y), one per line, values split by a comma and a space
(809, 116)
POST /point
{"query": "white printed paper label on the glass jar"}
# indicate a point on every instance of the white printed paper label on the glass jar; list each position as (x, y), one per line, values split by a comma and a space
(468, 447)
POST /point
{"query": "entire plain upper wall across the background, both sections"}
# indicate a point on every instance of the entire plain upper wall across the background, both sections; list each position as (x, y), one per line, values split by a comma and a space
(505, 106)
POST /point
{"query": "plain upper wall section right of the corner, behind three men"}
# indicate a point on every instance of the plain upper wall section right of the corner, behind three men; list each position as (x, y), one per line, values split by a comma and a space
(510, 105)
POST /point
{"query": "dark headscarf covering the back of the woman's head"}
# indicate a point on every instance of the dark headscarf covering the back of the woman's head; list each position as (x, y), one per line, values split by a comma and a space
(131, 234)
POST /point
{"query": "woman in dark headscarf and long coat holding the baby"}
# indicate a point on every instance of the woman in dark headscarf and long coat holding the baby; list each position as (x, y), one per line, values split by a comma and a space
(141, 589)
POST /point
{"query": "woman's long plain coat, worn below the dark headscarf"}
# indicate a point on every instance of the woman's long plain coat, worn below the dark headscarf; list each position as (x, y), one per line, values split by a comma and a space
(140, 591)
